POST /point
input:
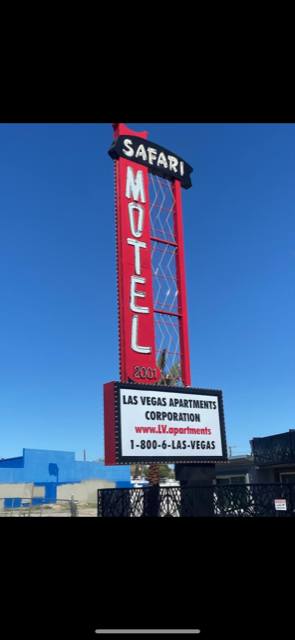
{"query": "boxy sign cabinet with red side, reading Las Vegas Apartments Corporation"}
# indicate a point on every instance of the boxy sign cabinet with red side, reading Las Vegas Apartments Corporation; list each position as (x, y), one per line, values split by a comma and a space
(162, 424)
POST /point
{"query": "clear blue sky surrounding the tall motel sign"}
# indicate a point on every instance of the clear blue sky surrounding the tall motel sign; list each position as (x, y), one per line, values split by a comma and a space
(58, 277)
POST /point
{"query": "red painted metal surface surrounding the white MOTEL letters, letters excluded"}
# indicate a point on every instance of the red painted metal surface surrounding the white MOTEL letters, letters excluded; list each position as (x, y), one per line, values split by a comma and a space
(130, 319)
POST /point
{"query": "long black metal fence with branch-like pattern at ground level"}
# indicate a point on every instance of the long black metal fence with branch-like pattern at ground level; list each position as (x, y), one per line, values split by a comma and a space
(218, 501)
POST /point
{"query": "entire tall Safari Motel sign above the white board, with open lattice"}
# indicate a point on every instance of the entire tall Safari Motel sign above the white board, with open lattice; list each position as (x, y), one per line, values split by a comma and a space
(153, 328)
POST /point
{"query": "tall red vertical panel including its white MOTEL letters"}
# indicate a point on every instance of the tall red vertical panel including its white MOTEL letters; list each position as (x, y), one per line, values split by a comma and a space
(135, 283)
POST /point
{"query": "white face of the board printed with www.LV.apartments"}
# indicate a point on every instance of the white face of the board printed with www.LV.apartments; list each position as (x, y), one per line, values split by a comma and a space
(169, 424)
